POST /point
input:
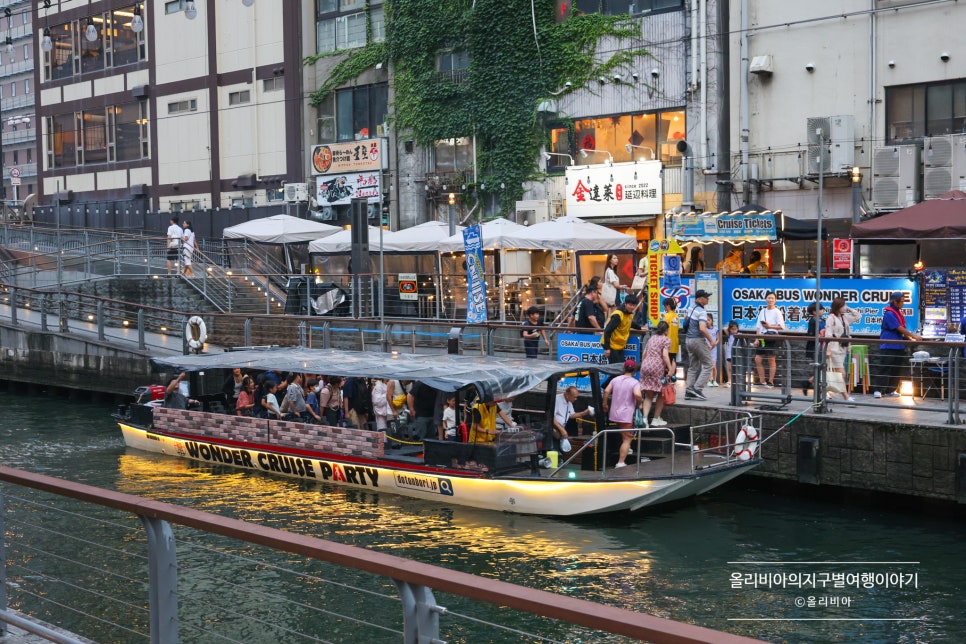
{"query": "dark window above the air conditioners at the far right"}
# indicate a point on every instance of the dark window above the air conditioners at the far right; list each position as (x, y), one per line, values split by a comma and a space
(929, 109)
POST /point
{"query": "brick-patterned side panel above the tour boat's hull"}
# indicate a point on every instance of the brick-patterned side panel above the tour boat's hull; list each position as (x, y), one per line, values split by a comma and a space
(347, 441)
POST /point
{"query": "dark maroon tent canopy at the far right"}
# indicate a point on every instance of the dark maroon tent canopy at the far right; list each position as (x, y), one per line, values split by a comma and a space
(941, 218)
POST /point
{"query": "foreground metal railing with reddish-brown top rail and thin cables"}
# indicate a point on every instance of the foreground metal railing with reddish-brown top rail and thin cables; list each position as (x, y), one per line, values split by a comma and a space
(61, 579)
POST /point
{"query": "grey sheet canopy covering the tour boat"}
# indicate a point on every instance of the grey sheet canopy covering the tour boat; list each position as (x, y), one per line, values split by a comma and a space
(494, 378)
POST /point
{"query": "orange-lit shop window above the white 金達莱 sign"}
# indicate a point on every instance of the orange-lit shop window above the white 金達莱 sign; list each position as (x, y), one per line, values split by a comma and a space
(658, 131)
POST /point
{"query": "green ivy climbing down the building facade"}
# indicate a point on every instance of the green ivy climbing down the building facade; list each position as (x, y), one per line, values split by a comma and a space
(508, 76)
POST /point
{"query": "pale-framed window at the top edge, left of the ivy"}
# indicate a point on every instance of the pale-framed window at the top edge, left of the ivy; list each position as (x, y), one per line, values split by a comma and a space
(346, 24)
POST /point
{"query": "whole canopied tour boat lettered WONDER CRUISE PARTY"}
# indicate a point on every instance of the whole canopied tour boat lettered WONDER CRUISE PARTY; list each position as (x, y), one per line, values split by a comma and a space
(518, 472)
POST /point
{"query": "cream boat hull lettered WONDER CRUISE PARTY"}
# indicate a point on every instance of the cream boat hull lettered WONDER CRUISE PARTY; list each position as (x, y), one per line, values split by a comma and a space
(528, 494)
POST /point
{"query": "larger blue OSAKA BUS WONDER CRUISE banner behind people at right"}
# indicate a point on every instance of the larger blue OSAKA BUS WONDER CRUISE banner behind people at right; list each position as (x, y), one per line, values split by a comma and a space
(743, 298)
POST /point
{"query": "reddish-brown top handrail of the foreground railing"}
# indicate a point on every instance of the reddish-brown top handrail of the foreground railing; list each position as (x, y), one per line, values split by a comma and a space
(538, 602)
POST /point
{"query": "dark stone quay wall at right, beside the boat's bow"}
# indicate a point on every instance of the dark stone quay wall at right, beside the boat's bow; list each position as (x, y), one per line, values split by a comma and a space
(830, 450)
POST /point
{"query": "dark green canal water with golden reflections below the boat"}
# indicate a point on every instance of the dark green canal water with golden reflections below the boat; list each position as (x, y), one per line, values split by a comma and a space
(741, 559)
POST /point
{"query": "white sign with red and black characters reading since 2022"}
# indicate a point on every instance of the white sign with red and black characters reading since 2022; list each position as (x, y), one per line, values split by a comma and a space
(622, 189)
